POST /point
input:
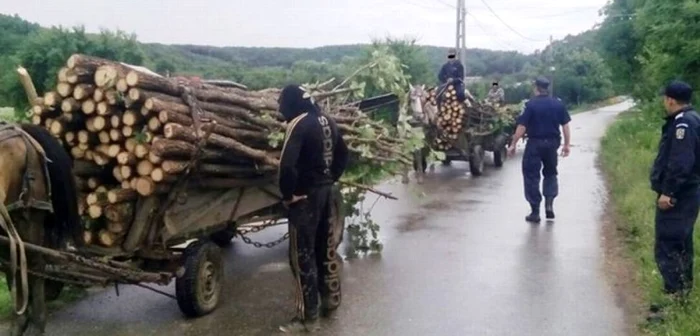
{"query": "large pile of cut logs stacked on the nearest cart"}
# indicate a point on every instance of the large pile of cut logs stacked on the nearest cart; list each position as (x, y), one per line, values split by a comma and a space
(133, 133)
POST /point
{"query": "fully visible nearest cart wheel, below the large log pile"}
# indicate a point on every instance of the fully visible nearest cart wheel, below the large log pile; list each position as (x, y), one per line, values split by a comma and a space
(199, 288)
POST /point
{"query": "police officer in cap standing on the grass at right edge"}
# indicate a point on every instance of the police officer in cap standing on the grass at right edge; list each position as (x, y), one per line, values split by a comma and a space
(675, 178)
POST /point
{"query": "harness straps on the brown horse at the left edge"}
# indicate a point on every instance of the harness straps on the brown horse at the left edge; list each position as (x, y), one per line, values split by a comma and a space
(25, 202)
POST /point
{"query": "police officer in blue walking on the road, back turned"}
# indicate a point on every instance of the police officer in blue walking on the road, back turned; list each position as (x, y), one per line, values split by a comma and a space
(542, 119)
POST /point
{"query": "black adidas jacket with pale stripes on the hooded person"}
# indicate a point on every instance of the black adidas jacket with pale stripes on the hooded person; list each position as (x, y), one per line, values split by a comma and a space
(314, 154)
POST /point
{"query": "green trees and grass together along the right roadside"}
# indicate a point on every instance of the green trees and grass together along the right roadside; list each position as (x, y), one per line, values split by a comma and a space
(645, 48)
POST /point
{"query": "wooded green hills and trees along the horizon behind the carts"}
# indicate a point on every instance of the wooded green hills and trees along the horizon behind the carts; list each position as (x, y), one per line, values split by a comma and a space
(581, 75)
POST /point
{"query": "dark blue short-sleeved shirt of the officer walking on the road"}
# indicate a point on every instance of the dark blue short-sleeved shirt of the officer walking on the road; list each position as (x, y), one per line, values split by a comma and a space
(543, 116)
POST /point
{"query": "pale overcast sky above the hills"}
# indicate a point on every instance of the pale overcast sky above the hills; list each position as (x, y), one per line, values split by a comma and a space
(312, 23)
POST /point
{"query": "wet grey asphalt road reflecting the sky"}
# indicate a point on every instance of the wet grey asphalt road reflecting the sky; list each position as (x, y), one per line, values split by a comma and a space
(458, 259)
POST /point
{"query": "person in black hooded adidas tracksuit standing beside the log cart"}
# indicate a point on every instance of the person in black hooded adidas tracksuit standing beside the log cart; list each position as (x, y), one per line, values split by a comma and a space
(314, 157)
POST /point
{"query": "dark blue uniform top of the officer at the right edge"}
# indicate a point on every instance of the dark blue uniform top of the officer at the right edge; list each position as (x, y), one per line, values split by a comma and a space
(676, 170)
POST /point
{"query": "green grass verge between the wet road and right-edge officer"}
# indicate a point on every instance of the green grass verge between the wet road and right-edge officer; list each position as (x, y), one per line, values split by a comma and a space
(628, 150)
